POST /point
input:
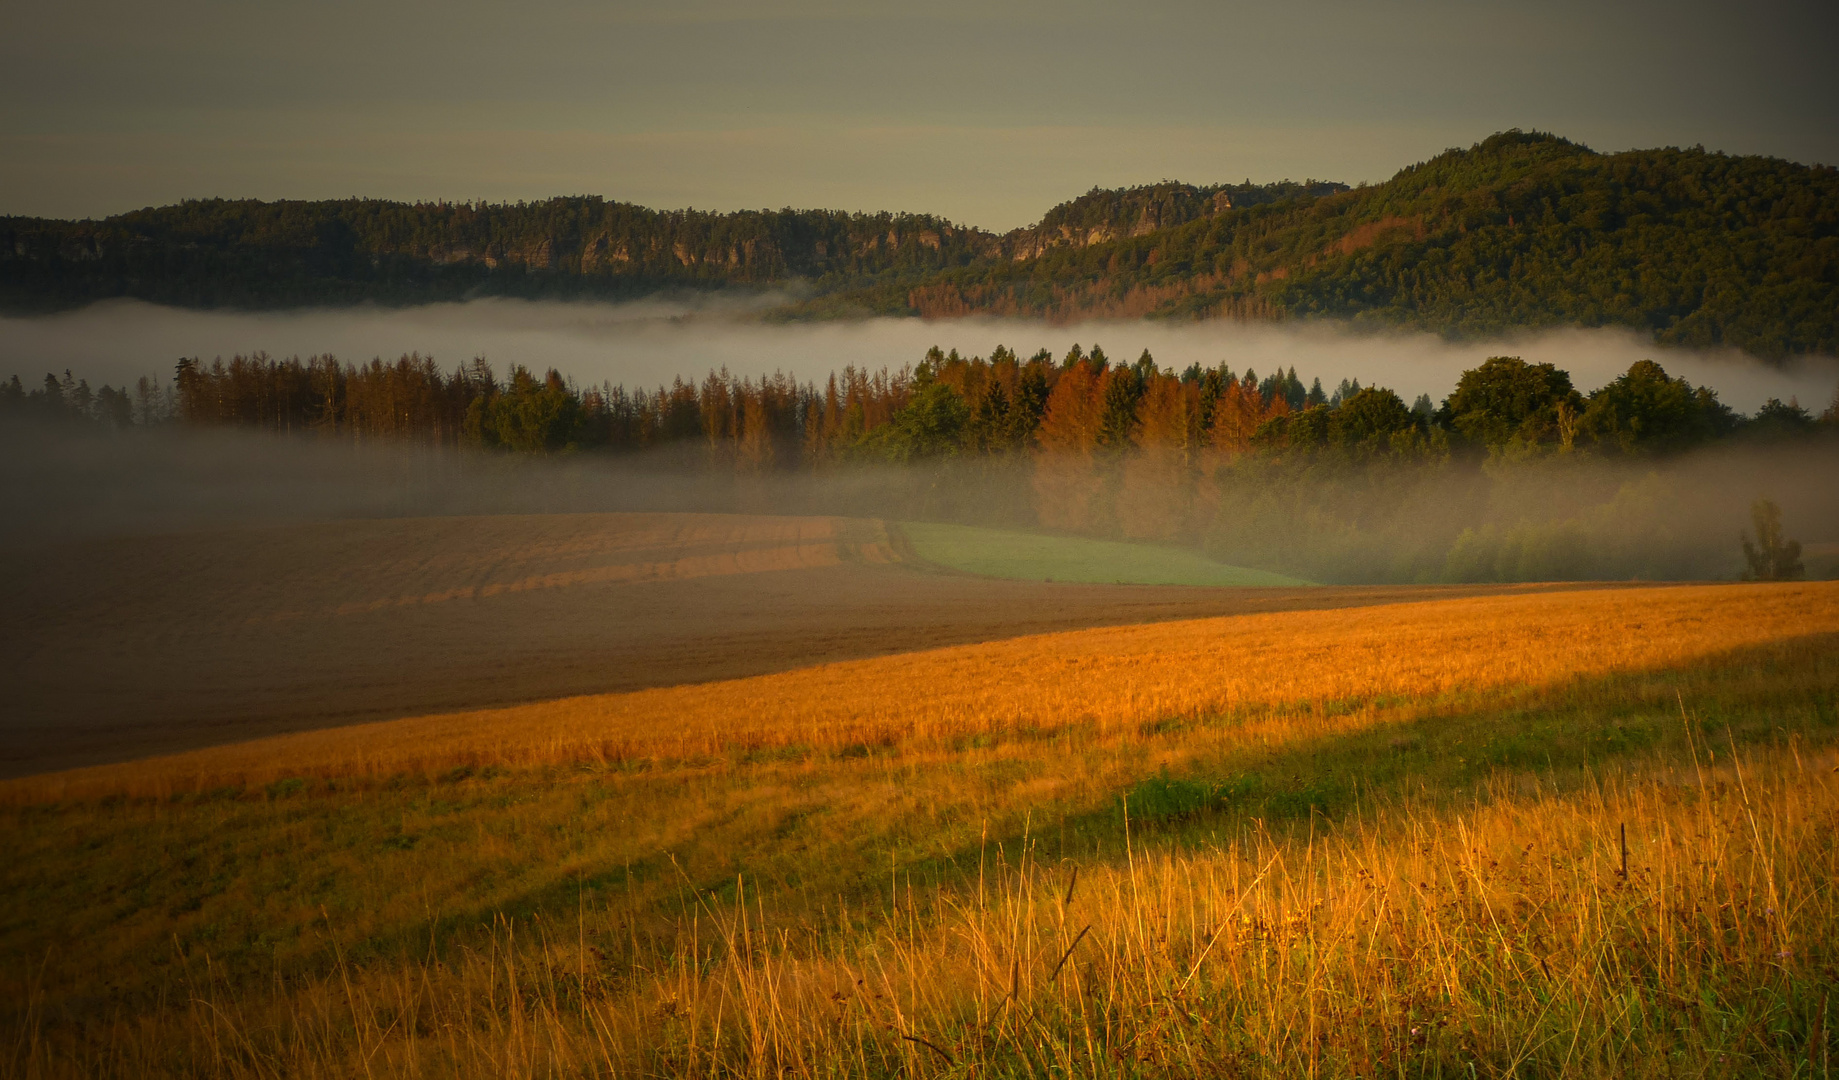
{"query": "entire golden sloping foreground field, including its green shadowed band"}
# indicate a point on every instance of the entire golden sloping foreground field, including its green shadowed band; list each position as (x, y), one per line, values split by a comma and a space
(1536, 834)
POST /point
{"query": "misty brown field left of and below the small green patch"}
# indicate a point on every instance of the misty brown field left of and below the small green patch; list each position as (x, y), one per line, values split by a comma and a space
(133, 647)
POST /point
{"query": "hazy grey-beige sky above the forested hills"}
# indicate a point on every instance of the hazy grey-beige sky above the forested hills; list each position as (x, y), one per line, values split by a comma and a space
(985, 111)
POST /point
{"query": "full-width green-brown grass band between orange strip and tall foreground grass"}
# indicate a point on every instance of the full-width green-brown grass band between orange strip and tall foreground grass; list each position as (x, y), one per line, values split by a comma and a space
(139, 886)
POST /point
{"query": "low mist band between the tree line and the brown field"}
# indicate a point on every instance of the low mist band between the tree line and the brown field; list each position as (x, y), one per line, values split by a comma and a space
(1450, 520)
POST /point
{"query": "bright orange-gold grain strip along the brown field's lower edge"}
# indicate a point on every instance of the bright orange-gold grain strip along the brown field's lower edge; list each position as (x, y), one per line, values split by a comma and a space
(1262, 667)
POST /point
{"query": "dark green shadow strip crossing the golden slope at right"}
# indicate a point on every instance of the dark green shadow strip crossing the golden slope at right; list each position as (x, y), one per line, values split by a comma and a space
(1590, 728)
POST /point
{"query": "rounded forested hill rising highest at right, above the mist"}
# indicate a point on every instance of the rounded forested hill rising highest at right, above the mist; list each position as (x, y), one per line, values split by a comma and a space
(1524, 231)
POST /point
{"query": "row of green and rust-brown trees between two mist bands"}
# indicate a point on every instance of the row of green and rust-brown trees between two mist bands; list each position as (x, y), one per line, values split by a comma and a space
(1075, 408)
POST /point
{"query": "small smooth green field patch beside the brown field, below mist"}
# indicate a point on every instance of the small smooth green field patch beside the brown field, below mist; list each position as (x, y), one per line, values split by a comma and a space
(1062, 558)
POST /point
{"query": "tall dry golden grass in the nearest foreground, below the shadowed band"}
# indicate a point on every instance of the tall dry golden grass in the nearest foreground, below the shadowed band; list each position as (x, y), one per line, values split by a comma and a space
(1682, 925)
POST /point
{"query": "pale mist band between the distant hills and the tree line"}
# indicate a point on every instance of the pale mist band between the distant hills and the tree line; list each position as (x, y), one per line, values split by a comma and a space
(650, 343)
